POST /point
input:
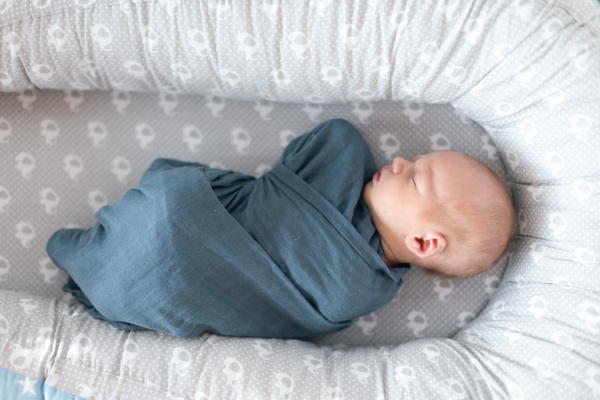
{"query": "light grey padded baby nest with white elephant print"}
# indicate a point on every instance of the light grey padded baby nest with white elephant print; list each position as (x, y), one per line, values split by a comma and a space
(513, 83)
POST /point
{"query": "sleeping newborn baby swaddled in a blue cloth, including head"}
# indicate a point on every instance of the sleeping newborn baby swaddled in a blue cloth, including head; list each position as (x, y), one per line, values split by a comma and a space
(321, 239)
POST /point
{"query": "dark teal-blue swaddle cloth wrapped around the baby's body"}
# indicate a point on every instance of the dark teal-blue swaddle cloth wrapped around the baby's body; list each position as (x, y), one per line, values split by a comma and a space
(192, 249)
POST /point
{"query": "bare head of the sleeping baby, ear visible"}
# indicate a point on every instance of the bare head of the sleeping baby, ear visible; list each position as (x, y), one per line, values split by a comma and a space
(444, 211)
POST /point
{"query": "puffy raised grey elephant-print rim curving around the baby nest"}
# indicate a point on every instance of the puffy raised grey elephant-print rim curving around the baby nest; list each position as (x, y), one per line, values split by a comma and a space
(526, 70)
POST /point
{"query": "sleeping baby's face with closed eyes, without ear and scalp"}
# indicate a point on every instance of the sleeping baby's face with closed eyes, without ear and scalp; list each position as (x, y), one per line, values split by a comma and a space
(404, 196)
